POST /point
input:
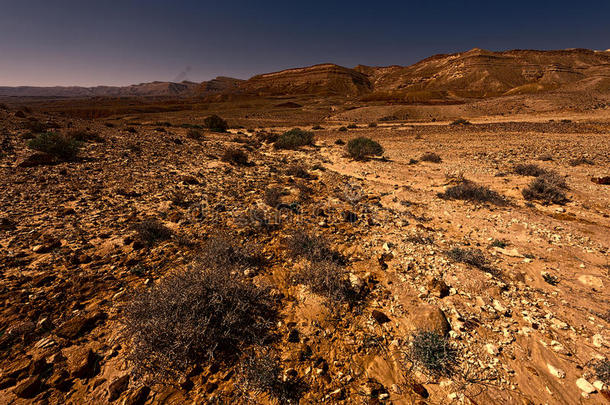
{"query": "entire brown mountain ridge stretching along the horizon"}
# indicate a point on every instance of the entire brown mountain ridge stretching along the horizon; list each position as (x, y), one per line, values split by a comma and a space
(477, 73)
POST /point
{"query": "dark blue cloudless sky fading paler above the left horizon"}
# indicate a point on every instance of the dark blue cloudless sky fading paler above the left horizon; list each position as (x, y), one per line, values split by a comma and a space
(65, 42)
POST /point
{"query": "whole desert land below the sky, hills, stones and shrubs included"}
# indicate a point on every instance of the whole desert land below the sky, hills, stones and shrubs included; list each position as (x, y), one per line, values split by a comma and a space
(437, 233)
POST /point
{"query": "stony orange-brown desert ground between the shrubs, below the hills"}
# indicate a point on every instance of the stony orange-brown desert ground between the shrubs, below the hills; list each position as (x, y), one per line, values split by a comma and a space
(528, 321)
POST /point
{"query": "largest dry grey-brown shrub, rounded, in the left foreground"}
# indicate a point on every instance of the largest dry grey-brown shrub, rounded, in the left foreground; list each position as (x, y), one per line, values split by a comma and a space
(194, 316)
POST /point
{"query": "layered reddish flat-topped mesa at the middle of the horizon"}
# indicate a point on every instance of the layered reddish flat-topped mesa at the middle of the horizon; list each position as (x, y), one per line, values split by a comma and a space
(325, 79)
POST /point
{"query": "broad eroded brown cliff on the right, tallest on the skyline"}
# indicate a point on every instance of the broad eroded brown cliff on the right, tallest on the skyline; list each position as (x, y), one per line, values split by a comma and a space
(480, 73)
